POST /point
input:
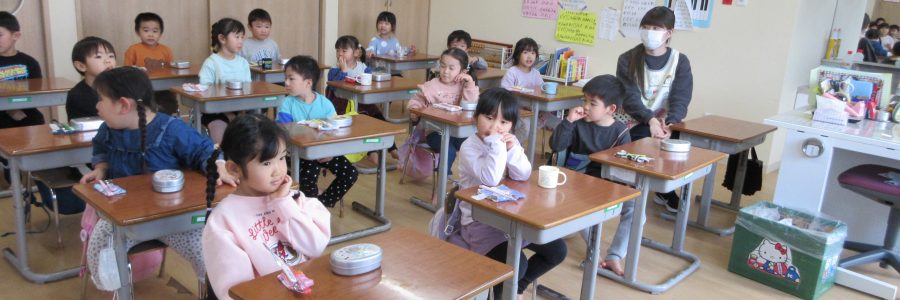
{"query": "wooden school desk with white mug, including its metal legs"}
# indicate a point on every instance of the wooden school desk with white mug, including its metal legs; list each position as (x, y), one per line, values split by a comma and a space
(545, 215)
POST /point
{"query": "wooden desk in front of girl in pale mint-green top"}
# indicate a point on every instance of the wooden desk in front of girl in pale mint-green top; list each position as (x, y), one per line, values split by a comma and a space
(255, 95)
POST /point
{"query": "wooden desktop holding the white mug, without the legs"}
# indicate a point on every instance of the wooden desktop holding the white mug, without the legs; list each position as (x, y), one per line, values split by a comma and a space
(544, 208)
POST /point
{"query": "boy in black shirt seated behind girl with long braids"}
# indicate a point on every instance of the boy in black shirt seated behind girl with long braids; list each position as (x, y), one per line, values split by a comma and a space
(90, 56)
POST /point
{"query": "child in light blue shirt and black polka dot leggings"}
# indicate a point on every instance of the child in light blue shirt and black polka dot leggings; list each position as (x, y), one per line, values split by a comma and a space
(301, 74)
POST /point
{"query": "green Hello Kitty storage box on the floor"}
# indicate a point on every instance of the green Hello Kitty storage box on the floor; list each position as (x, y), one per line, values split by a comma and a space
(798, 259)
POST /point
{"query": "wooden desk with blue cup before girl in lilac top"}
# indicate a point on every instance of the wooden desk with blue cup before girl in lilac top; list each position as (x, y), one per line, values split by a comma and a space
(566, 97)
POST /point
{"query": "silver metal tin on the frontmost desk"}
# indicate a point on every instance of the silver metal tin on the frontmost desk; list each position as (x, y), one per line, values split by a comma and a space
(356, 259)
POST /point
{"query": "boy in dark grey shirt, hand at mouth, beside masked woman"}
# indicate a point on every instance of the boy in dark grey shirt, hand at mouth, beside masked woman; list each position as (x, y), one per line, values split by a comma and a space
(590, 129)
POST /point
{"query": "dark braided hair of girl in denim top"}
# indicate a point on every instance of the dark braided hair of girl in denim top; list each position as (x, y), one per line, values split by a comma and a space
(131, 83)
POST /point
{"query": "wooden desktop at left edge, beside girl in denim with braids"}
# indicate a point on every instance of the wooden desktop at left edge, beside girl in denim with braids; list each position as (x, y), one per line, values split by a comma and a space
(39, 139)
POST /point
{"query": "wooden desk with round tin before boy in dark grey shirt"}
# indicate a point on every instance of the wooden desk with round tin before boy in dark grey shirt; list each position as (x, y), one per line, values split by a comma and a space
(666, 172)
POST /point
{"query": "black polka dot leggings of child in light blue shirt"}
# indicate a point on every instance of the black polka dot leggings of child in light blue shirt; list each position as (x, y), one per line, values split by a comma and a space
(345, 176)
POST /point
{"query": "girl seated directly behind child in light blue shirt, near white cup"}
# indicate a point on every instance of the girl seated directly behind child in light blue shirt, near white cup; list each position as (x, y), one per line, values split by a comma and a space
(351, 58)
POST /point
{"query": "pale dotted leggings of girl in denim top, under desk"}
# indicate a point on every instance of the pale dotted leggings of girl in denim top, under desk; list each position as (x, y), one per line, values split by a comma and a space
(187, 244)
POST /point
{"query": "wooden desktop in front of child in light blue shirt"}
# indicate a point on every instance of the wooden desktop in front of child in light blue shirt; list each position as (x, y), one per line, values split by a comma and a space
(364, 127)
